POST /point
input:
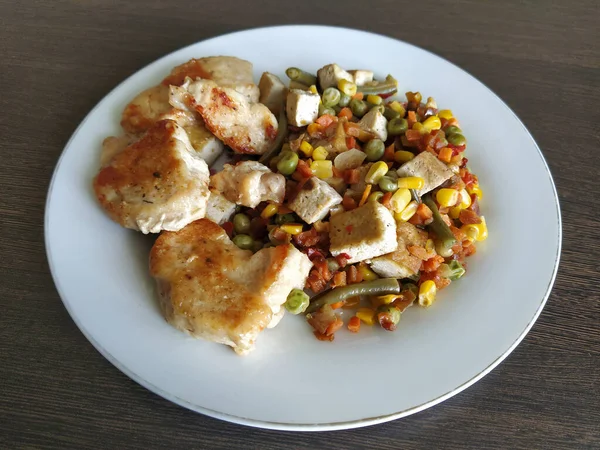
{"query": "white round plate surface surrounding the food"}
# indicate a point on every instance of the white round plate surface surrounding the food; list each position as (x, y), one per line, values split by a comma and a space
(292, 381)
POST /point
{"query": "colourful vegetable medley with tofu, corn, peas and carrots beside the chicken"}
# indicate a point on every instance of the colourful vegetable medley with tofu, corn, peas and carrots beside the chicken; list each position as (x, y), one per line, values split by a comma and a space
(378, 196)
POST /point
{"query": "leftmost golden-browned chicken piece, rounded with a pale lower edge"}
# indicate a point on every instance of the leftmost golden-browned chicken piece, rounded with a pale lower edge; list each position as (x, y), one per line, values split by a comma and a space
(157, 183)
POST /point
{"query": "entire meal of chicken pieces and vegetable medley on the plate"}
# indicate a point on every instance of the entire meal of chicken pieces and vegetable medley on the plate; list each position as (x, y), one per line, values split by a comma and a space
(339, 200)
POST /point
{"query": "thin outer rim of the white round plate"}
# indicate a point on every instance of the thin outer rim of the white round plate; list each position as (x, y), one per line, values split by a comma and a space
(283, 426)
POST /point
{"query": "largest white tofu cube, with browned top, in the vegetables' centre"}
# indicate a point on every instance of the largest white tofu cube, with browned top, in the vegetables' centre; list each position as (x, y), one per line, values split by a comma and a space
(363, 233)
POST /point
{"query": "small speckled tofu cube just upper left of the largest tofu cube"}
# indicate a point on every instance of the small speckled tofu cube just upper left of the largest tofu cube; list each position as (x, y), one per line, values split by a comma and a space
(314, 200)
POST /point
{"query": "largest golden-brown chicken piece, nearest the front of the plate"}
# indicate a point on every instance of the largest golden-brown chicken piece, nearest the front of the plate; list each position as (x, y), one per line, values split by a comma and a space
(211, 289)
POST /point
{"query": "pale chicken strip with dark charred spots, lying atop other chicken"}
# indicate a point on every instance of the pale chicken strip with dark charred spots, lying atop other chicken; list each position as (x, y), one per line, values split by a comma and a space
(246, 127)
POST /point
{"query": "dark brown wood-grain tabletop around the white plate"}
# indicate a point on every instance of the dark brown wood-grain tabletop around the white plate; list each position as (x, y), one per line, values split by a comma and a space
(58, 59)
